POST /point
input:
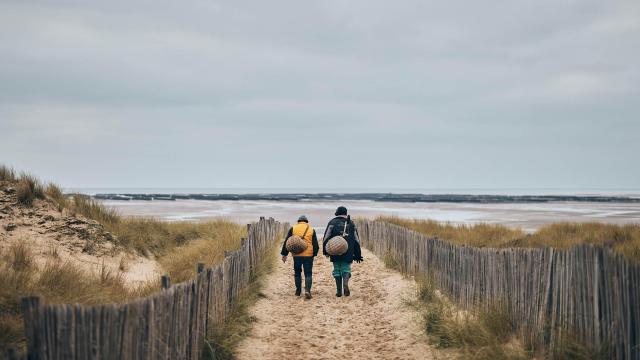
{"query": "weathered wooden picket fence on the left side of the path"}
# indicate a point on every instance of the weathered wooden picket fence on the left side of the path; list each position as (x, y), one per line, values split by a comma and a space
(172, 324)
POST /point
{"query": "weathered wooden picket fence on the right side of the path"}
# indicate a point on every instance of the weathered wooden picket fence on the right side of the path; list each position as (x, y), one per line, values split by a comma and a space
(586, 291)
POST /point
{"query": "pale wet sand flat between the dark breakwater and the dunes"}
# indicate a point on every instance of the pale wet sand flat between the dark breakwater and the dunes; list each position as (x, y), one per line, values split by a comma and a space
(528, 216)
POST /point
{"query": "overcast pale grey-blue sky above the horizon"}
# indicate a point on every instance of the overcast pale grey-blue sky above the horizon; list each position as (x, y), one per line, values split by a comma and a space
(332, 94)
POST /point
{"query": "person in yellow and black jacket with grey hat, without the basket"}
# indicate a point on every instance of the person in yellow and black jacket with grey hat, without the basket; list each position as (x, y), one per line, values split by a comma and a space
(305, 258)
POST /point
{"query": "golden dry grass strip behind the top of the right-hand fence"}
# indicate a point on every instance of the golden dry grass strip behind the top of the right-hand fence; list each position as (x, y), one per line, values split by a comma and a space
(624, 239)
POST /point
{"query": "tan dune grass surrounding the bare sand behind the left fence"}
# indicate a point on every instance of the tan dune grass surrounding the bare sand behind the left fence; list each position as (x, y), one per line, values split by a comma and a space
(177, 246)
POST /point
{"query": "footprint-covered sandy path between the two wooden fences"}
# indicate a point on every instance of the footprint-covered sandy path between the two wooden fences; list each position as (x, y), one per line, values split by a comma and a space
(372, 323)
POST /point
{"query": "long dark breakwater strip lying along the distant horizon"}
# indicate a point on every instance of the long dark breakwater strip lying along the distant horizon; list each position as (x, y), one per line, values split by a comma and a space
(380, 197)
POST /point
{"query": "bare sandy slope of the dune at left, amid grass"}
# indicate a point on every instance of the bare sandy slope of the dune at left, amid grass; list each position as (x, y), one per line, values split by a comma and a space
(61, 236)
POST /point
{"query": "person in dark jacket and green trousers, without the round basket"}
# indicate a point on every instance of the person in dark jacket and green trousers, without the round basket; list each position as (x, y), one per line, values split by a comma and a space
(342, 263)
